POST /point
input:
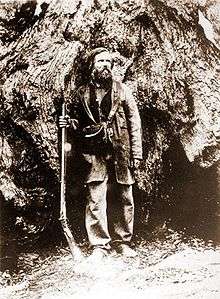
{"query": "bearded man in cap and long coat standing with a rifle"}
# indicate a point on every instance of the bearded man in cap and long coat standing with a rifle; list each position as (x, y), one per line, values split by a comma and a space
(107, 126)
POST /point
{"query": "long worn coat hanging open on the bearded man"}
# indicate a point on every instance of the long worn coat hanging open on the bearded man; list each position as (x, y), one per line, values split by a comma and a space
(126, 134)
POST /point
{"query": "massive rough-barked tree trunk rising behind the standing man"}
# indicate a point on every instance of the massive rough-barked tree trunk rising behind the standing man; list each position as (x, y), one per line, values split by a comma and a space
(161, 50)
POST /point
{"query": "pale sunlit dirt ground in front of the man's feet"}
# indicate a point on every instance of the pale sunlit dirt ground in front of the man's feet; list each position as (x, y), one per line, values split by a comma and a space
(170, 268)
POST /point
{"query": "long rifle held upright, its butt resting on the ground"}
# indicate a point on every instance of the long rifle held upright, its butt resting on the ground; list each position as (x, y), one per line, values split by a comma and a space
(75, 251)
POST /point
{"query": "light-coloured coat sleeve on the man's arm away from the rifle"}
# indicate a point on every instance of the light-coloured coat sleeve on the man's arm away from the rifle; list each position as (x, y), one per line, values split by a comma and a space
(134, 123)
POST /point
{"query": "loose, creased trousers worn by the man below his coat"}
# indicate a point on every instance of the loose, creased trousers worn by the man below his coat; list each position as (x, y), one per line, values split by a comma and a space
(96, 218)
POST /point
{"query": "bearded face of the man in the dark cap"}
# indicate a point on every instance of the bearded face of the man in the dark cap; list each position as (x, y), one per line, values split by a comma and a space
(101, 72)
